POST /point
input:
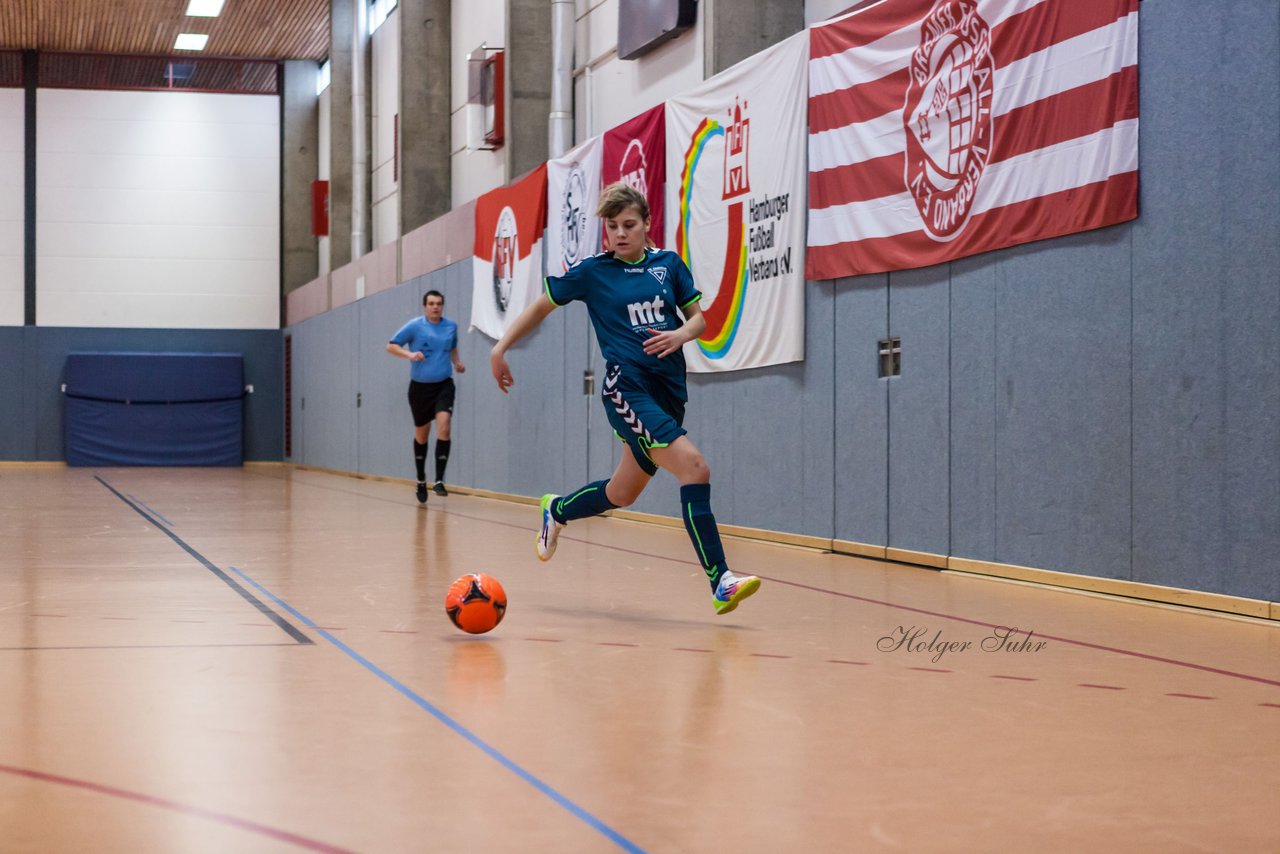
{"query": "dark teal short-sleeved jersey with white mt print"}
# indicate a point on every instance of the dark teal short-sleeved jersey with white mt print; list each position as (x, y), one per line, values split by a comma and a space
(627, 302)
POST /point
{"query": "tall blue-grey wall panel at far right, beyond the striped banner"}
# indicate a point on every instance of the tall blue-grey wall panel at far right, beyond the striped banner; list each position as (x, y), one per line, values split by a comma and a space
(1208, 305)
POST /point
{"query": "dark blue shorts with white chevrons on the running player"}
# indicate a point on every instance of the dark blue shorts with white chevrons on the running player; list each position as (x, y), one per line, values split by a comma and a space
(644, 413)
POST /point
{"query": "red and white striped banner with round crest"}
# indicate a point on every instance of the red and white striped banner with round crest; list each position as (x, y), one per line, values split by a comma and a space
(944, 129)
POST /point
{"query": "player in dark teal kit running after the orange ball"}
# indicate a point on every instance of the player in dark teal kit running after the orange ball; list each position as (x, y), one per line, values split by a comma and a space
(633, 294)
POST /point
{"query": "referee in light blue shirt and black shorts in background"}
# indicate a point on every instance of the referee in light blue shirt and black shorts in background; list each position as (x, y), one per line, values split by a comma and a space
(431, 344)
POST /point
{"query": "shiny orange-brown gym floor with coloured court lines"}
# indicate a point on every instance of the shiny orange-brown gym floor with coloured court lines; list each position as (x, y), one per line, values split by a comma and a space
(258, 660)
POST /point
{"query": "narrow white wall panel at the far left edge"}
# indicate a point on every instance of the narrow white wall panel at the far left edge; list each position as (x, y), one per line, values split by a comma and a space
(12, 218)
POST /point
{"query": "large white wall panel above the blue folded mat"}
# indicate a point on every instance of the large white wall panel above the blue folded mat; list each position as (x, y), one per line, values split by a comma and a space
(158, 211)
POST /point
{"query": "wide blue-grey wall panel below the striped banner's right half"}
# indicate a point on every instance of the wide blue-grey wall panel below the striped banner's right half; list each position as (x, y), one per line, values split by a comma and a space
(1063, 405)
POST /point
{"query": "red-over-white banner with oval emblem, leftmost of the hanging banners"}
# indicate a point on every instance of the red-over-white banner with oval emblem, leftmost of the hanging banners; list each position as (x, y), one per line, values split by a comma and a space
(508, 259)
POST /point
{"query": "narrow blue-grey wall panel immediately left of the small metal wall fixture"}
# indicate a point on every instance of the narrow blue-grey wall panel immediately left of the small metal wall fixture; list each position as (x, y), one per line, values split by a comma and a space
(862, 412)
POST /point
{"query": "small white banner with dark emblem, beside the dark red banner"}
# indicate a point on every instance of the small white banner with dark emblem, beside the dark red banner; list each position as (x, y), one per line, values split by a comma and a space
(573, 197)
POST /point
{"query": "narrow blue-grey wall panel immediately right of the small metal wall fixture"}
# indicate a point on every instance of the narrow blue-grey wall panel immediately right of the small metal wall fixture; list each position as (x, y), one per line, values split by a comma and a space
(918, 412)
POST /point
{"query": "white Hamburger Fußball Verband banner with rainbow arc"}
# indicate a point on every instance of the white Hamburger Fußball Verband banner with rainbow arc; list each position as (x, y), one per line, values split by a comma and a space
(737, 182)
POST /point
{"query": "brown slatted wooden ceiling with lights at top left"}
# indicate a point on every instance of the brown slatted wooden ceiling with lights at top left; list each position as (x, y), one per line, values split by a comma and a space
(248, 29)
